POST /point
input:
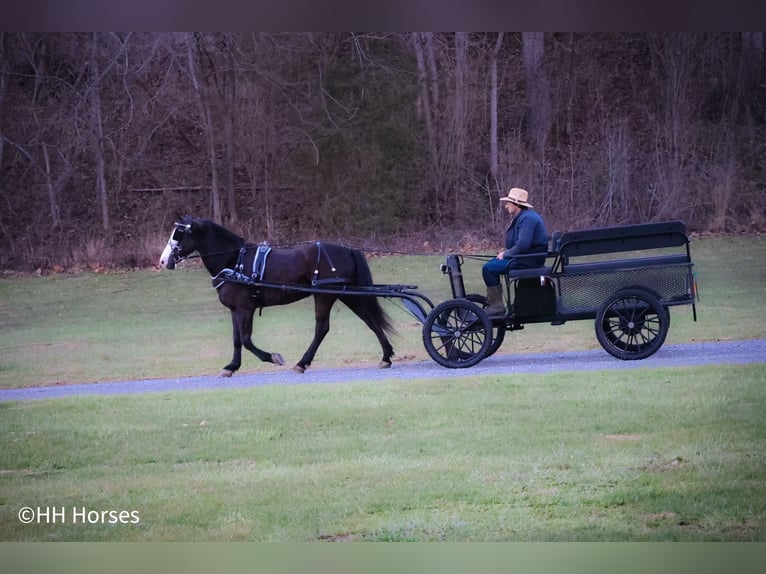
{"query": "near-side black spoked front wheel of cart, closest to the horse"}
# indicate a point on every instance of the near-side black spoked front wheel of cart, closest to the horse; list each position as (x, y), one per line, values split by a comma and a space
(456, 334)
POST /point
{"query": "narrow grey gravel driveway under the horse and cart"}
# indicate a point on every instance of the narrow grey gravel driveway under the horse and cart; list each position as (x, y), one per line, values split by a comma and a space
(721, 352)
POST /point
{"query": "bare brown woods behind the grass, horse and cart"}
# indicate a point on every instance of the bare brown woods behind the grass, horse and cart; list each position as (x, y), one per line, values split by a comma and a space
(104, 137)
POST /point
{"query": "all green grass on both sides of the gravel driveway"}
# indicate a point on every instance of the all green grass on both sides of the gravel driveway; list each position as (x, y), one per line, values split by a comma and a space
(649, 454)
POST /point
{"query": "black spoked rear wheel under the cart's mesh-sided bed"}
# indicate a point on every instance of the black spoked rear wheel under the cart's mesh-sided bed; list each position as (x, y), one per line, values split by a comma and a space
(632, 324)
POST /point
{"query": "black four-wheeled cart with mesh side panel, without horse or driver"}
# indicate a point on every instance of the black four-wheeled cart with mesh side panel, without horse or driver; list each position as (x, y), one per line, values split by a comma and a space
(628, 295)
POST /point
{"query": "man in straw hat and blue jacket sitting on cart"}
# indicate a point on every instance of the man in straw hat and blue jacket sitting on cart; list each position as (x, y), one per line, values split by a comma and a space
(526, 234)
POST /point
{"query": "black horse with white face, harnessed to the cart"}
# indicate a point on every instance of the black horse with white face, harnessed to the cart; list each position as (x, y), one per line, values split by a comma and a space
(309, 265)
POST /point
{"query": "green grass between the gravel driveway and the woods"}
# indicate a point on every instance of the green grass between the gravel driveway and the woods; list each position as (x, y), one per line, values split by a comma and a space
(147, 324)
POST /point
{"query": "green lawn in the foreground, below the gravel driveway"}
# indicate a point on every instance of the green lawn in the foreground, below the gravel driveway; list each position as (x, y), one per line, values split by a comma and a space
(672, 454)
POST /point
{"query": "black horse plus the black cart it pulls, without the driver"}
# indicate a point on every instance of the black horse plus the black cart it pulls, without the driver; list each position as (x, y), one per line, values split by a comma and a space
(625, 277)
